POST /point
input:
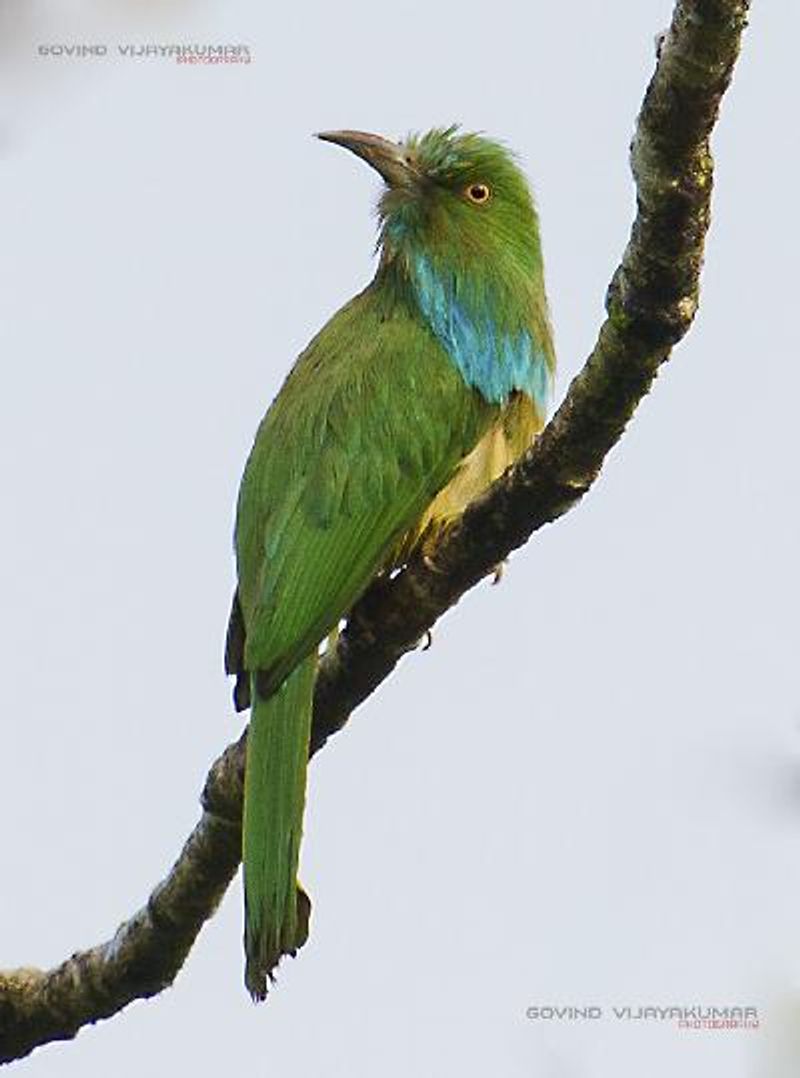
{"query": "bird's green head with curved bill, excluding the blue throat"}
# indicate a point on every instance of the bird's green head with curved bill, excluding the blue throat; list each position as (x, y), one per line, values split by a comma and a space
(459, 198)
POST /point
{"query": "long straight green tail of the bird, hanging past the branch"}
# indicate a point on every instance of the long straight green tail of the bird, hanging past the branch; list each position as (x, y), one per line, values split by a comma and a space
(277, 909)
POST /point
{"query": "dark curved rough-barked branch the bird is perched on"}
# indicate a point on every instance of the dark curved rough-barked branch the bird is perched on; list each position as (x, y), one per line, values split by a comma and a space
(652, 303)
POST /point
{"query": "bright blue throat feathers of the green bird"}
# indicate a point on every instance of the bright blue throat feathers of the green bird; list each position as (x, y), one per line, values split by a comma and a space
(492, 360)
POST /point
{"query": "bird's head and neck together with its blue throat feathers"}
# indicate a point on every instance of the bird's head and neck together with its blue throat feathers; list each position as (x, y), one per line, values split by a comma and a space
(460, 240)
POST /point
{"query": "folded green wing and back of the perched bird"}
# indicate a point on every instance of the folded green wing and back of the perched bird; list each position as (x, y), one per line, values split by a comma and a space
(371, 423)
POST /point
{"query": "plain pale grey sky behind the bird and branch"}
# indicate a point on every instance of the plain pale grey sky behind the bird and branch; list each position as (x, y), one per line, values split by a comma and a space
(588, 793)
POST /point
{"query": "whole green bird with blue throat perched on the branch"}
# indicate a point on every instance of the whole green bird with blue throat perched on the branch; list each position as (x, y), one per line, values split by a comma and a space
(412, 399)
